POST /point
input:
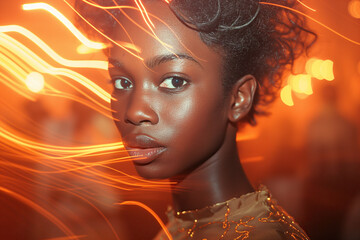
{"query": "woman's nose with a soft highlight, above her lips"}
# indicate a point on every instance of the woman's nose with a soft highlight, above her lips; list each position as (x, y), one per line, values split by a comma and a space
(139, 110)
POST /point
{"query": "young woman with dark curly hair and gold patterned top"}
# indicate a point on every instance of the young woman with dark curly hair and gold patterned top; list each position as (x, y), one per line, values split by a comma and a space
(207, 67)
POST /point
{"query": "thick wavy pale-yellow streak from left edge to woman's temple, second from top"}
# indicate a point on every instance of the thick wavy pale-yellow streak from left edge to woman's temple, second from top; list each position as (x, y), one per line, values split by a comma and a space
(69, 63)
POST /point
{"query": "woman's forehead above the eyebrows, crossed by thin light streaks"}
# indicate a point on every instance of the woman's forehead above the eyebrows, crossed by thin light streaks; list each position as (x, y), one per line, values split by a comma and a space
(167, 34)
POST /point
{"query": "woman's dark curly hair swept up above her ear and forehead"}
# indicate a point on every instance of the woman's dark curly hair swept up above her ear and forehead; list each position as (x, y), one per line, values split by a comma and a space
(253, 37)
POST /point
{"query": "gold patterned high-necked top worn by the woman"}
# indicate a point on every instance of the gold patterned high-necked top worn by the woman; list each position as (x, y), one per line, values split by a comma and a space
(253, 216)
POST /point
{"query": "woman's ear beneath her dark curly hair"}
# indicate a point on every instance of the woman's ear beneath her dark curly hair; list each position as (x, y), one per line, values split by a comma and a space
(242, 95)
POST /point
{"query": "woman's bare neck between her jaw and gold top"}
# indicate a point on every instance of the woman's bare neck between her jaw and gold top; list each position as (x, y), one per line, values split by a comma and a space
(218, 179)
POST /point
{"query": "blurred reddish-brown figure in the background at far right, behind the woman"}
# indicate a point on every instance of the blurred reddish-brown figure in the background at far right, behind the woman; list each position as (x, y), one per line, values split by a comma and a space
(332, 182)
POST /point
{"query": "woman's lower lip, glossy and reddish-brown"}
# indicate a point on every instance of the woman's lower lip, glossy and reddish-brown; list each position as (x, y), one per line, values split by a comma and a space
(144, 156)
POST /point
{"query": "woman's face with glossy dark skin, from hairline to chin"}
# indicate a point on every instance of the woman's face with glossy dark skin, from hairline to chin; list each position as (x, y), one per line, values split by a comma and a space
(170, 108)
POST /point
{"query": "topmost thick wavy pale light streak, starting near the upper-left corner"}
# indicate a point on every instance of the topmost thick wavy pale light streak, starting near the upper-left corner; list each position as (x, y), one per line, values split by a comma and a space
(66, 22)
